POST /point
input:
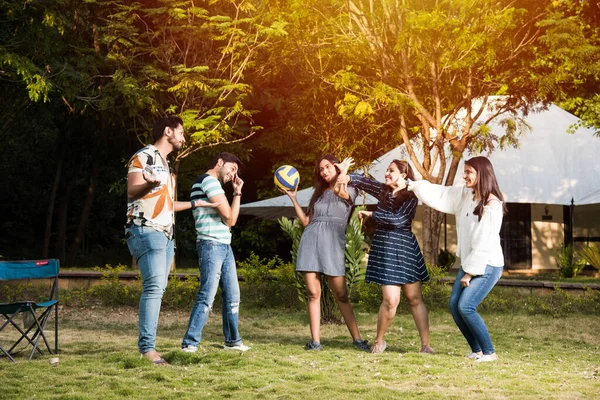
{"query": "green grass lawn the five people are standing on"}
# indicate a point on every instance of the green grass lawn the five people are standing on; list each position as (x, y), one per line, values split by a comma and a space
(540, 358)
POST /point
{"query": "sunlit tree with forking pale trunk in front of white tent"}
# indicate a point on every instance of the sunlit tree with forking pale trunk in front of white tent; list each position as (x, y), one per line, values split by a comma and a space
(430, 60)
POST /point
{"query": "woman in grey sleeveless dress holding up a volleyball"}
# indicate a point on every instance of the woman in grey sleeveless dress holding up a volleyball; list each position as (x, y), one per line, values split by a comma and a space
(321, 249)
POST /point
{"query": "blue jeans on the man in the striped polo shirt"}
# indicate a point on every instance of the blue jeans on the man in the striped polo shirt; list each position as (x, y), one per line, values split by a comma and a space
(217, 268)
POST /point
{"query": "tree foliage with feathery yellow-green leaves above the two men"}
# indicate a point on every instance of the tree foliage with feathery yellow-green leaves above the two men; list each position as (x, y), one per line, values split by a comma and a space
(190, 58)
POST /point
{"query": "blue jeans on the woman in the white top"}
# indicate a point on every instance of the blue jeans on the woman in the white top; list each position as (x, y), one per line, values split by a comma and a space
(463, 307)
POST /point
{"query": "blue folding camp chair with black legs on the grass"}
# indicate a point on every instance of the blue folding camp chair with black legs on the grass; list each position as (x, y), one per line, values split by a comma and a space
(29, 270)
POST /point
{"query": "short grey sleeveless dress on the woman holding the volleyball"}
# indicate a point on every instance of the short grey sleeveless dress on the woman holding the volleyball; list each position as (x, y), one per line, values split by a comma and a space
(323, 241)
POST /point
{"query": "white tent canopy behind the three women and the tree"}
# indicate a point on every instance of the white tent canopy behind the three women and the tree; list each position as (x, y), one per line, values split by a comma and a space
(550, 166)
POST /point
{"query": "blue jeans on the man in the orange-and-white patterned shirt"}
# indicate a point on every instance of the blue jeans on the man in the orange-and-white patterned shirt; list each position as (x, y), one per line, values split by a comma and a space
(153, 252)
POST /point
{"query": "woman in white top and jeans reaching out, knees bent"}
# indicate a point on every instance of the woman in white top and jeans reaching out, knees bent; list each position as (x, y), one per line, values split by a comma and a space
(478, 207)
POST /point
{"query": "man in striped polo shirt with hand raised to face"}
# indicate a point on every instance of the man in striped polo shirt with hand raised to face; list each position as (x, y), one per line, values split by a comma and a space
(215, 257)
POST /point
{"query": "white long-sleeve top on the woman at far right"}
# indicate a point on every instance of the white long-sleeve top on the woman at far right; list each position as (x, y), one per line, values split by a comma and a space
(478, 241)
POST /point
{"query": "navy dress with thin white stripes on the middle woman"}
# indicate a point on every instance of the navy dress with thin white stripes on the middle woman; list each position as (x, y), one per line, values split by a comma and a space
(395, 257)
